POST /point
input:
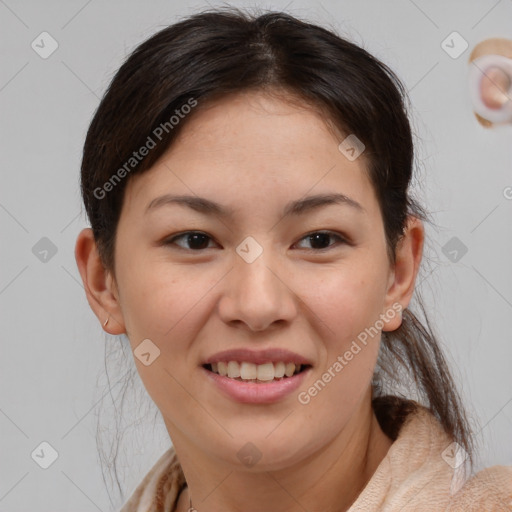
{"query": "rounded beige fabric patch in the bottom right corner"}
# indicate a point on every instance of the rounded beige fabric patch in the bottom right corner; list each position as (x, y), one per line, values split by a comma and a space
(488, 490)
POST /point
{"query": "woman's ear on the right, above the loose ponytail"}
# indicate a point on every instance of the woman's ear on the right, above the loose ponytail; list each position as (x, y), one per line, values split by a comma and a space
(409, 252)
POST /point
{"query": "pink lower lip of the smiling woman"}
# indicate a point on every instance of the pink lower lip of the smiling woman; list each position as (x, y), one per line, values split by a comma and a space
(254, 392)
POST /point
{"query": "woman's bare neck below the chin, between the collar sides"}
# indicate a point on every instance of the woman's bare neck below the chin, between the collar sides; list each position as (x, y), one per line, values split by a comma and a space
(330, 479)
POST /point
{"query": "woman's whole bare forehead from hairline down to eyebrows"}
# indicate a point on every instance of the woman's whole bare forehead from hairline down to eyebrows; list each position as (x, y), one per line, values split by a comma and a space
(255, 145)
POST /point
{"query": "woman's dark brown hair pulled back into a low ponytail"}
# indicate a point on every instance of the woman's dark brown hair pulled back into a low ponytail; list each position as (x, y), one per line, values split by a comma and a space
(223, 51)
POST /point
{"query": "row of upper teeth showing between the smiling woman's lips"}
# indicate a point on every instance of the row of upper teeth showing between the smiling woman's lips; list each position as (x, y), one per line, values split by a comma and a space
(250, 372)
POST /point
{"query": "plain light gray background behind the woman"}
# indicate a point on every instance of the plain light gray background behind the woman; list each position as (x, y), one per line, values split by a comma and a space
(52, 364)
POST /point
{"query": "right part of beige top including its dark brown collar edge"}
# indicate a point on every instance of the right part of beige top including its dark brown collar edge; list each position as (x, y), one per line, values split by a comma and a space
(420, 474)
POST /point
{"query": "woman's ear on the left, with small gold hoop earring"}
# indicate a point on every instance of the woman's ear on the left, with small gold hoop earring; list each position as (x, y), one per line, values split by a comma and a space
(100, 287)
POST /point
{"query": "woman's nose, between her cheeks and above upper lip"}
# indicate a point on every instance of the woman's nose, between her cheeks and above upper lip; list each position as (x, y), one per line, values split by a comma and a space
(258, 294)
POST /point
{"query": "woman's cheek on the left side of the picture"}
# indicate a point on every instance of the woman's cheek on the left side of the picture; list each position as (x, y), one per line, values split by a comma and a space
(162, 302)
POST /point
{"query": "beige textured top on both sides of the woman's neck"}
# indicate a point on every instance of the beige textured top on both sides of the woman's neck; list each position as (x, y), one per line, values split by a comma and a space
(417, 474)
